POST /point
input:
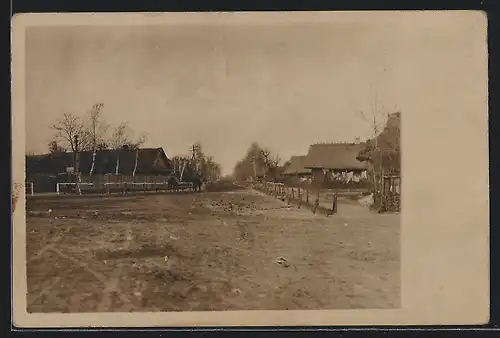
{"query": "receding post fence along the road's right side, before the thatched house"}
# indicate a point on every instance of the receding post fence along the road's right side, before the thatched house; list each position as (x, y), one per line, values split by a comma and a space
(315, 200)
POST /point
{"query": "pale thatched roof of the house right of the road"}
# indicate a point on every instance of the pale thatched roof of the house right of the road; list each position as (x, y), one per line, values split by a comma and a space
(340, 156)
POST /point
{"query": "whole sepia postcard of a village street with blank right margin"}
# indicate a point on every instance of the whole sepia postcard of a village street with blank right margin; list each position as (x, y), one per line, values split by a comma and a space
(232, 163)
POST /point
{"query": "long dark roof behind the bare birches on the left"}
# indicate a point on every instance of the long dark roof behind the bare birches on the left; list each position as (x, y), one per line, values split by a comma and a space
(105, 161)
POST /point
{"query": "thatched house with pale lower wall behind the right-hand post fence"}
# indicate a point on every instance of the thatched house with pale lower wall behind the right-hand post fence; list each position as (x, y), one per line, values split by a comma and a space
(335, 162)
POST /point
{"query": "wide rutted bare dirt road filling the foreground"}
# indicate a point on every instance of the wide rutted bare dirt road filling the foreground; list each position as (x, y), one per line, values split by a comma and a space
(236, 250)
